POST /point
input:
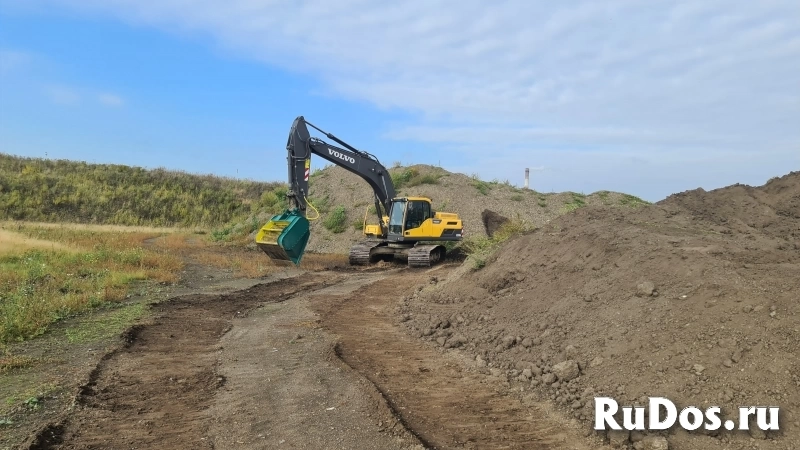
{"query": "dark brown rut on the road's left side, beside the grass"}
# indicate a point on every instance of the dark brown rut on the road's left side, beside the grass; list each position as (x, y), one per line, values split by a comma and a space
(155, 390)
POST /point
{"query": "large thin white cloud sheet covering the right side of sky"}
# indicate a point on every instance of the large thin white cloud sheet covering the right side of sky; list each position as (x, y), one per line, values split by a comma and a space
(681, 78)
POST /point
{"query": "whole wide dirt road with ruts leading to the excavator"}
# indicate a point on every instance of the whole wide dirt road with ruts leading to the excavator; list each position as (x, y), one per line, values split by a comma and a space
(308, 362)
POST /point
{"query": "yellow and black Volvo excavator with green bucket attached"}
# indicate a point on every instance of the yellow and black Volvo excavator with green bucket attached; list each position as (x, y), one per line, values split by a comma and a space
(408, 228)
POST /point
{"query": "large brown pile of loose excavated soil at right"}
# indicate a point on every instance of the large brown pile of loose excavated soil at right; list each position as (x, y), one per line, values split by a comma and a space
(695, 298)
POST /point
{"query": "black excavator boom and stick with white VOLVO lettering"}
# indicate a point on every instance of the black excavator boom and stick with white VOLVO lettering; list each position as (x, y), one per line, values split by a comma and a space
(301, 145)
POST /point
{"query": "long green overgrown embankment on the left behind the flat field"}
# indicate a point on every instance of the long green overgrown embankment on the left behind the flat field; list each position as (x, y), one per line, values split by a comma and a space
(69, 191)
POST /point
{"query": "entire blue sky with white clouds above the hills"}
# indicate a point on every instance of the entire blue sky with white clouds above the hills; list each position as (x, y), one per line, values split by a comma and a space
(648, 98)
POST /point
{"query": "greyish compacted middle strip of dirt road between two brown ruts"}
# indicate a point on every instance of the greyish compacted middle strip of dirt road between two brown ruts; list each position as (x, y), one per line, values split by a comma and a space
(285, 388)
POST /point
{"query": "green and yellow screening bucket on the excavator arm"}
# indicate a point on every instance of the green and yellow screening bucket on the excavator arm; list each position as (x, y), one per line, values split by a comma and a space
(284, 237)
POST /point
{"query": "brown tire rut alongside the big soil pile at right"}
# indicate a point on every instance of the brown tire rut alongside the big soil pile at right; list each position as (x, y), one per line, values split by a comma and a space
(442, 403)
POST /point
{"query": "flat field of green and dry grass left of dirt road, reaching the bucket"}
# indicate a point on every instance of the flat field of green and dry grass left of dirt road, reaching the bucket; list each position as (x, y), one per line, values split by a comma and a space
(51, 272)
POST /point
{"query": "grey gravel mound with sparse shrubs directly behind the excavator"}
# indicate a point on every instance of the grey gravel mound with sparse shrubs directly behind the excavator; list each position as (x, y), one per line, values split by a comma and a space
(450, 192)
